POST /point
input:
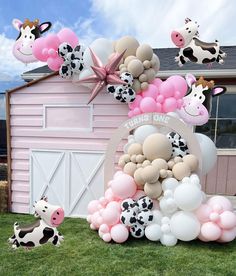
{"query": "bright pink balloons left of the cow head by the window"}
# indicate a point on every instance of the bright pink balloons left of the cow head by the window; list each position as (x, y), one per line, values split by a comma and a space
(160, 96)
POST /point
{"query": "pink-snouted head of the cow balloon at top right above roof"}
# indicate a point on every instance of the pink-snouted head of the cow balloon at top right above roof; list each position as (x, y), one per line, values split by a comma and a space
(182, 37)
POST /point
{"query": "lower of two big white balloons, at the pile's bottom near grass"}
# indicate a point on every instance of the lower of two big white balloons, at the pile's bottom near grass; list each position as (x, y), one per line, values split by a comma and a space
(185, 226)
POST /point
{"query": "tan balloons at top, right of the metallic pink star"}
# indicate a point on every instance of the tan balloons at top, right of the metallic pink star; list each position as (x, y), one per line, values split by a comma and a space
(139, 60)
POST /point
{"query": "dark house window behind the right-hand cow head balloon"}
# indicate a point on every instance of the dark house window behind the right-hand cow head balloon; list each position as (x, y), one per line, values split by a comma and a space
(221, 127)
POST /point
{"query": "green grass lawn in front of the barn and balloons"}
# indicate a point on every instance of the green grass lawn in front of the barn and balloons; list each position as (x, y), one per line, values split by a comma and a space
(84, 253)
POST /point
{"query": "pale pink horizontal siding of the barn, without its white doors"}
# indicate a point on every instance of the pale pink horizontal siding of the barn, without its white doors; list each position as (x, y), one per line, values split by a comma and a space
(30, 131)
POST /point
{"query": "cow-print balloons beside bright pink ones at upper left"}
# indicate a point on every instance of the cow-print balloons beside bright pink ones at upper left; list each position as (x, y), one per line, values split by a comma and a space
(73, 60)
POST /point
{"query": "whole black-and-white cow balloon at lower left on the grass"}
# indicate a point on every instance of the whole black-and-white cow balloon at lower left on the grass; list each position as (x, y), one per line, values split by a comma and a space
(43, 230)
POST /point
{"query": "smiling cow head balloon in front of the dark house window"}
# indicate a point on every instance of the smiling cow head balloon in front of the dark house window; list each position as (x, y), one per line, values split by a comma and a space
(197, 104)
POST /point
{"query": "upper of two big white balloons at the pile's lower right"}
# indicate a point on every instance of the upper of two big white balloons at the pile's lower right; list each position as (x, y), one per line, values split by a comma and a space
(188, 197)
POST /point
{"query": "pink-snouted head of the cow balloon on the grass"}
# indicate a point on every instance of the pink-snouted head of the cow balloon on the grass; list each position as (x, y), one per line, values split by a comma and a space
(51, 214)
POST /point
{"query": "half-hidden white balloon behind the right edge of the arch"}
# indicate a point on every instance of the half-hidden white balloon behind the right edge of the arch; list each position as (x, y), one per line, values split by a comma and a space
(209, 152)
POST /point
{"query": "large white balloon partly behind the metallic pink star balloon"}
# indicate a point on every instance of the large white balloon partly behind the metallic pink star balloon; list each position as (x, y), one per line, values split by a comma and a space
(102, 47)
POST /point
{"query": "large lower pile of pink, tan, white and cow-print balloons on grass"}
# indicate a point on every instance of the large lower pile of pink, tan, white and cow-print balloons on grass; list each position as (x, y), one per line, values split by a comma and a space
(158, 195)
